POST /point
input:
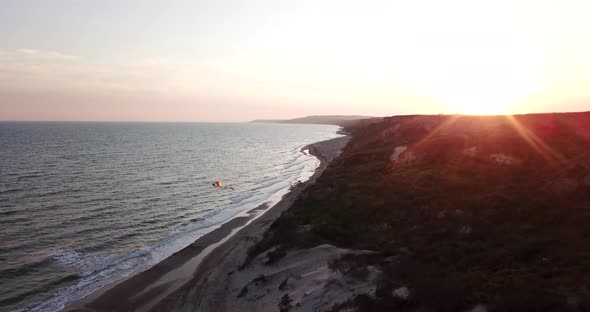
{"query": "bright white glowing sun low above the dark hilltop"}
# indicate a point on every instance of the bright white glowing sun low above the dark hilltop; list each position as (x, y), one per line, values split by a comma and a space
(479, 79)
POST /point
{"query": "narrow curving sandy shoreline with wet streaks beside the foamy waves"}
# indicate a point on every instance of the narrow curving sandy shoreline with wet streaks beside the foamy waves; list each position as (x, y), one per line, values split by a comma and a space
(161, 286)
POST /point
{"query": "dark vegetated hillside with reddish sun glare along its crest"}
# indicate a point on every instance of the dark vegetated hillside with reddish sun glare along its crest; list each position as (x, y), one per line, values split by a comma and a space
(457, 213)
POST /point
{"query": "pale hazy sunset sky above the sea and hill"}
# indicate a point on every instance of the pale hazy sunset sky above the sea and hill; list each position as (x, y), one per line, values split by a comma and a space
(224, 60)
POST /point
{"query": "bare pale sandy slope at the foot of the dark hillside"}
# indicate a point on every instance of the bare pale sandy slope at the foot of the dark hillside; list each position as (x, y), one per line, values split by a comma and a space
(301, 281)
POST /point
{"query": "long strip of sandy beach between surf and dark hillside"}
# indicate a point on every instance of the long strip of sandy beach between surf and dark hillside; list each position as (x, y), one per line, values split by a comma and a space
(195, 275)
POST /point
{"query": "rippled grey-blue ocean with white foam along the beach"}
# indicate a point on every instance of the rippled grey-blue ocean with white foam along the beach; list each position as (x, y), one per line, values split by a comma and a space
(85, 204)
